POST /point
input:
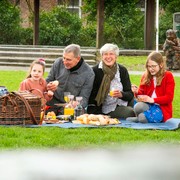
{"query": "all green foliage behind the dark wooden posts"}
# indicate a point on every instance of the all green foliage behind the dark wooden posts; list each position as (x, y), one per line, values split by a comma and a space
(124, 24)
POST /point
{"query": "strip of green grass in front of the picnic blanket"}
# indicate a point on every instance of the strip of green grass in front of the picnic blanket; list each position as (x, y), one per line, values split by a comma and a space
(53, 137)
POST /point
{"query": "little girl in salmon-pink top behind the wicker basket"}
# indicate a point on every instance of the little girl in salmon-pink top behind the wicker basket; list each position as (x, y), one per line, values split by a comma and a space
(35, 82)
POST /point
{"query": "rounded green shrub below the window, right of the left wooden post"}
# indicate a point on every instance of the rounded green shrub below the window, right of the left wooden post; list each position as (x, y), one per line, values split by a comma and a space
(59, 27)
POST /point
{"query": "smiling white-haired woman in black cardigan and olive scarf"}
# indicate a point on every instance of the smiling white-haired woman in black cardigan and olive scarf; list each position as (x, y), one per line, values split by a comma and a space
(111, 93)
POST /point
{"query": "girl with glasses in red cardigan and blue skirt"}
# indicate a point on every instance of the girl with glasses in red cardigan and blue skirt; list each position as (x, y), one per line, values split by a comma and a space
(155, 93)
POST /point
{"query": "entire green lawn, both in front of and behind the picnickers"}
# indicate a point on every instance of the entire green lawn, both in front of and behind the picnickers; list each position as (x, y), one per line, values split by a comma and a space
(52, 137)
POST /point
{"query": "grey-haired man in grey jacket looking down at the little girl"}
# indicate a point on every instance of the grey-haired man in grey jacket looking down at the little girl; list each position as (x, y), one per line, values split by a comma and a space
(74, 76)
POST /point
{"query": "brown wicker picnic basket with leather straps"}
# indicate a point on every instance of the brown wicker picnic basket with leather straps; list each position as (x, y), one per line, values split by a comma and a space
(20, 108)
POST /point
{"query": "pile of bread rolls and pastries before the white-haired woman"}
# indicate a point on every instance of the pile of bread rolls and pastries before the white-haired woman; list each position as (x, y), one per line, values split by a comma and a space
(95, 119)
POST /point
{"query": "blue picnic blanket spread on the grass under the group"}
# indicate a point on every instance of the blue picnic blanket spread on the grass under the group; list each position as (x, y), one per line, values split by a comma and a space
(171, 124)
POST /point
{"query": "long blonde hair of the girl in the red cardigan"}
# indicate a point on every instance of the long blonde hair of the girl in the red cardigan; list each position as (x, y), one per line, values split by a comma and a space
(158, 58)
